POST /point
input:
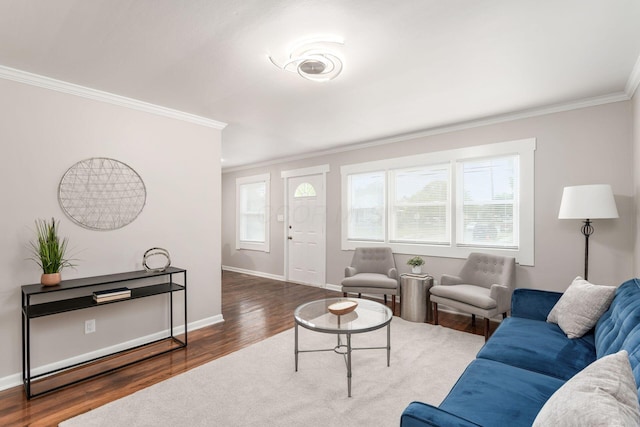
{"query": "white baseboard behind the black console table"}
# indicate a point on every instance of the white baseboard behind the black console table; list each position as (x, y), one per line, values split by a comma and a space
(16, 379)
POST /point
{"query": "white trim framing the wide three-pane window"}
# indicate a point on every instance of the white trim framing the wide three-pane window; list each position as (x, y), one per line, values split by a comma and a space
(525, 148)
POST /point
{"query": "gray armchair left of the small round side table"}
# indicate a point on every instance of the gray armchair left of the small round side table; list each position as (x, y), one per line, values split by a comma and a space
(372, 271)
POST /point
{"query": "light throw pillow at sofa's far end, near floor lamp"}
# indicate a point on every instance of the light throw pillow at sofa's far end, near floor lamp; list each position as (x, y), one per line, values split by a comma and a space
(580, 307)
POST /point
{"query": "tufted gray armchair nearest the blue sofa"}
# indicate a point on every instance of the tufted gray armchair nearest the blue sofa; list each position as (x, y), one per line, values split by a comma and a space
(483, 288)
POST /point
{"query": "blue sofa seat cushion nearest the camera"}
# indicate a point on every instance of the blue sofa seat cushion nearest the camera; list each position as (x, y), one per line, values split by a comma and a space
(491, 393)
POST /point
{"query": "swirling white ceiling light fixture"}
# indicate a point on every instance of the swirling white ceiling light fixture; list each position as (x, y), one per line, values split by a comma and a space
(314, 59)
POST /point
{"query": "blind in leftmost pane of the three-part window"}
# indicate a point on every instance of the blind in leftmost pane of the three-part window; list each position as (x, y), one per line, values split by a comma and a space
(366, 209)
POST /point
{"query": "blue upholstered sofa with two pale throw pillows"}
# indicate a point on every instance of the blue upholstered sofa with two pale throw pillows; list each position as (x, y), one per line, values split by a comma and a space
(527, 360)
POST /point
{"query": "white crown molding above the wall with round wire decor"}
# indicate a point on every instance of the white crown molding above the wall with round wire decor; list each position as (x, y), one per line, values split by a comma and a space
(98, 95)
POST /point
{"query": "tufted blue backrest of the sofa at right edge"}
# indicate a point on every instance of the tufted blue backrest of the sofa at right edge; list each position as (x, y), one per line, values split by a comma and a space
(619, 327)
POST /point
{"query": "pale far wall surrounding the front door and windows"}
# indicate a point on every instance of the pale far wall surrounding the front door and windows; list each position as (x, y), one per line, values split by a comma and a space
(584, 146)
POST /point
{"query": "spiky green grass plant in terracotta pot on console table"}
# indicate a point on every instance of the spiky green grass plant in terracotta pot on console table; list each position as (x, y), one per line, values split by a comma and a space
(49, 251)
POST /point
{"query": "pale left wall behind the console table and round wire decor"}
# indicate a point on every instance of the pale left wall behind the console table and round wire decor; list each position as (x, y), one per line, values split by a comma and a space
(44, 132)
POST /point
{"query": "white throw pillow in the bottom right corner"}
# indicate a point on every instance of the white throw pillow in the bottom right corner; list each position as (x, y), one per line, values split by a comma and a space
(602, 394)
